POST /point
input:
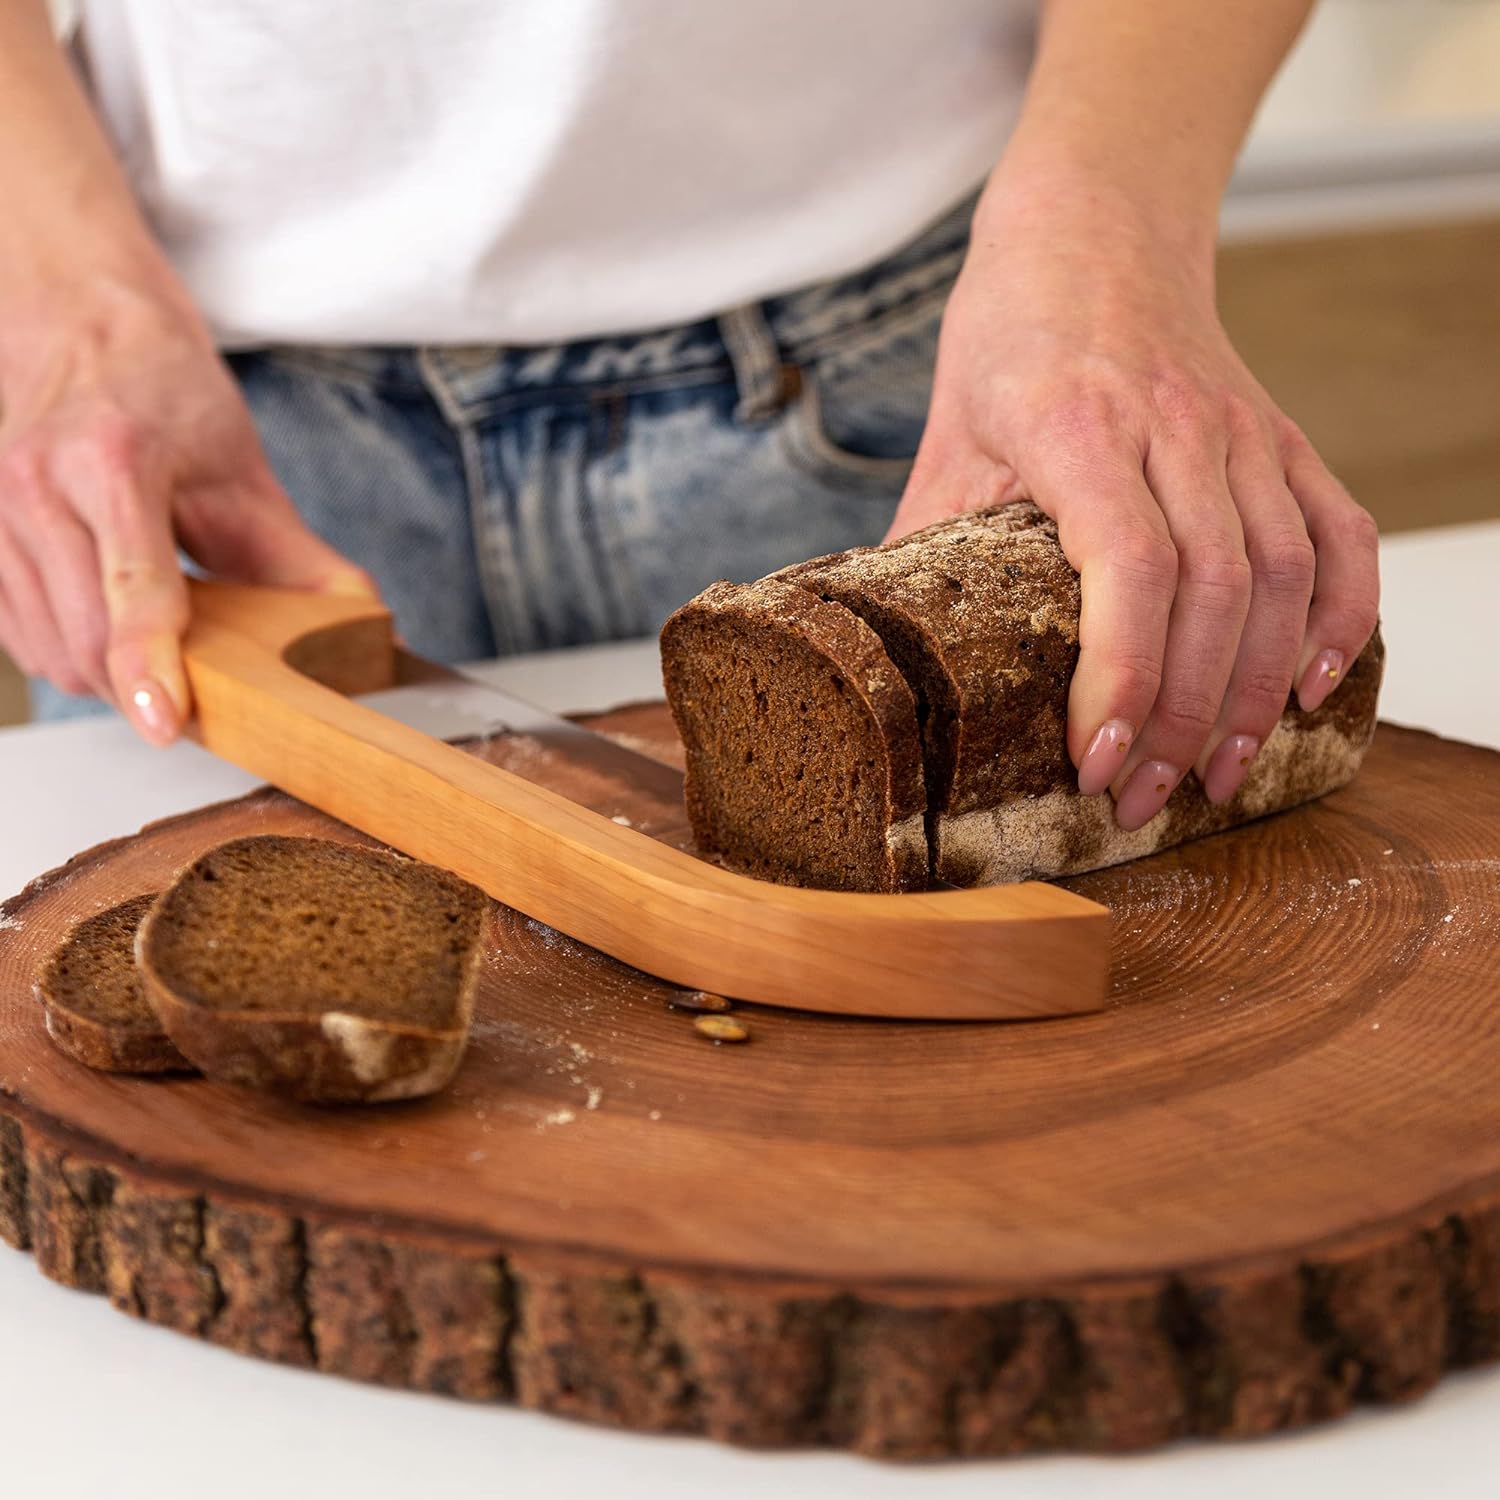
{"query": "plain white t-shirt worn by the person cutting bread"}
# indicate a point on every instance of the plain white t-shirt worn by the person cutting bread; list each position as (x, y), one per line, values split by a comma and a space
(526, 172)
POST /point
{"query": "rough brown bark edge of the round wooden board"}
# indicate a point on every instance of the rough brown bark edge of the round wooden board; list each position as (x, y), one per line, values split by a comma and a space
(1114, 1366)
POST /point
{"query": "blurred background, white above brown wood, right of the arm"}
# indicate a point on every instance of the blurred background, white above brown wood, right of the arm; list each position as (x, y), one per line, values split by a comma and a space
(1361, 263)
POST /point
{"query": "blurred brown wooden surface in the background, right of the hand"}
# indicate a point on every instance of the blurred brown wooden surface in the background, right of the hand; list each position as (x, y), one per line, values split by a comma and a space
(1384, 344)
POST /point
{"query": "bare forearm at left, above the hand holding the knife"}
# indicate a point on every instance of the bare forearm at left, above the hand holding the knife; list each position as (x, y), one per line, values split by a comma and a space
(71, 233)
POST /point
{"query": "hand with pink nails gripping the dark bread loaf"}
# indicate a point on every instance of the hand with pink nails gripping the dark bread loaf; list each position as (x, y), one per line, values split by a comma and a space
(1084, 365)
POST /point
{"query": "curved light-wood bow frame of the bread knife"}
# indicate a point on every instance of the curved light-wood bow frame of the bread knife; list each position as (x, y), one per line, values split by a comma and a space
(271, 671)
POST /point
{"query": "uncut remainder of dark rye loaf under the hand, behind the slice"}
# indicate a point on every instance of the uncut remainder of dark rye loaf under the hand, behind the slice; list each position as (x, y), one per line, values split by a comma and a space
(980, 614)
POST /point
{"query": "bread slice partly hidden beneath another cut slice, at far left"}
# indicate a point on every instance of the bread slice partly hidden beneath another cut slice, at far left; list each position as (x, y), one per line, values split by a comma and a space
(94, 1000)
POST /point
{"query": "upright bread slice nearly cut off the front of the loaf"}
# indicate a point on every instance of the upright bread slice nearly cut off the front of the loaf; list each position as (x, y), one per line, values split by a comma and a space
(803, 752)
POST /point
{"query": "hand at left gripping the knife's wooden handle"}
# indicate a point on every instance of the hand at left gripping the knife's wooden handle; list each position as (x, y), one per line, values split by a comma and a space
(124, 437)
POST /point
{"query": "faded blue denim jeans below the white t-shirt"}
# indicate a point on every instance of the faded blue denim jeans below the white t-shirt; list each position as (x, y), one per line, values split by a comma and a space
(523, 499)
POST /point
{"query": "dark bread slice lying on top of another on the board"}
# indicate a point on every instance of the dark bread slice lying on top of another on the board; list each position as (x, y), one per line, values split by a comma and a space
(322, 971)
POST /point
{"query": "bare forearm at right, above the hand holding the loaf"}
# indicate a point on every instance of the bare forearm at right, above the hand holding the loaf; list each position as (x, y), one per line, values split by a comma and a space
(1145, 103)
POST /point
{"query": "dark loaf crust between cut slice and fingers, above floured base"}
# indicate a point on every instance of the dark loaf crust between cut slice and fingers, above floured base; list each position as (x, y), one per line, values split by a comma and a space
(982, 616)
